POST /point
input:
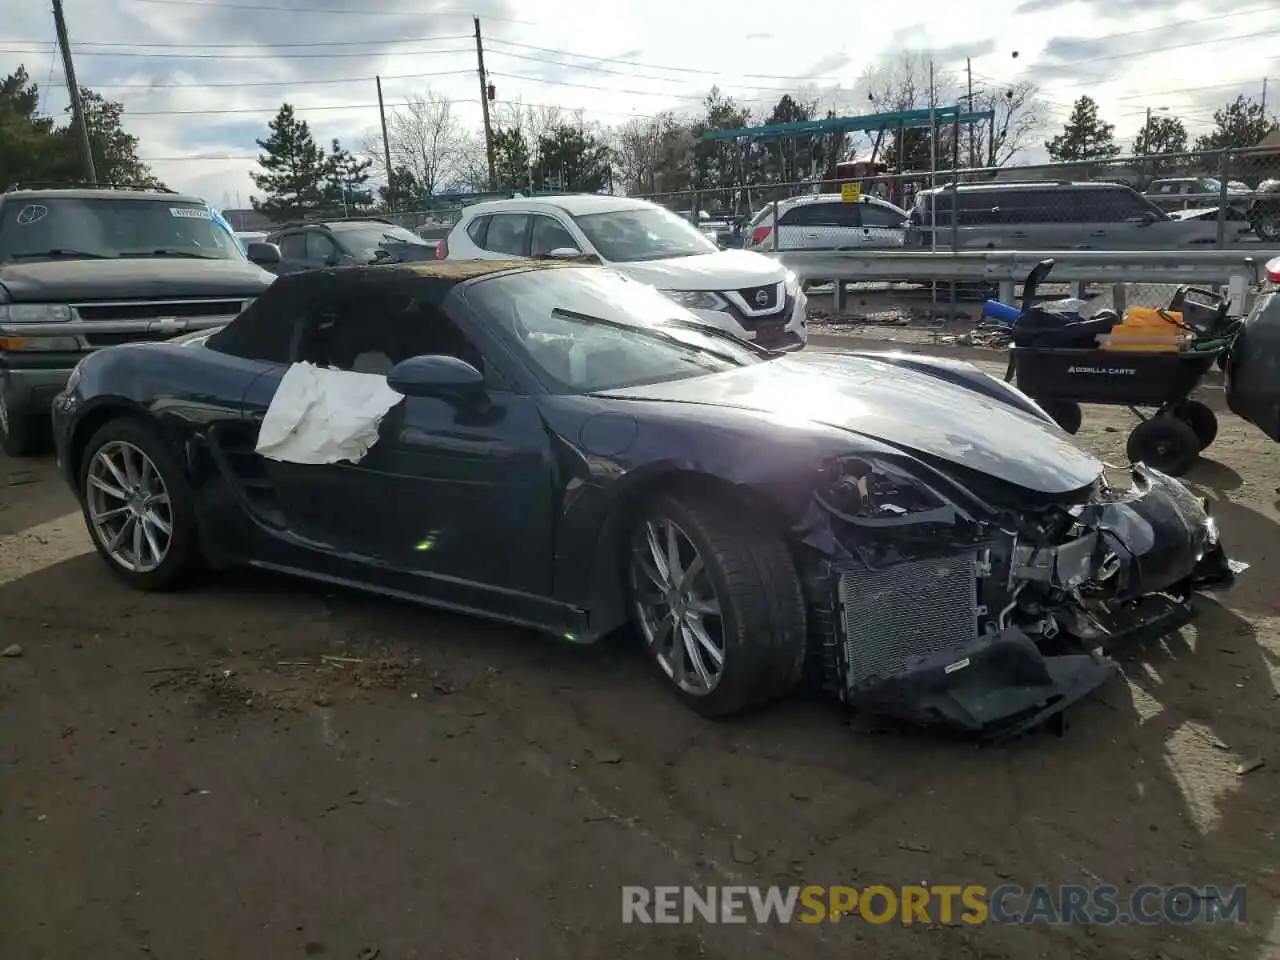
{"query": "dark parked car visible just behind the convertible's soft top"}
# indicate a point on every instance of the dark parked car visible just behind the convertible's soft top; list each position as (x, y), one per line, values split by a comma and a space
(313, 245)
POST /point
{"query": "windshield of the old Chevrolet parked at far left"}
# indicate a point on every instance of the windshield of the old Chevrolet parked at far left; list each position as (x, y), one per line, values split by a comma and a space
(112, 228)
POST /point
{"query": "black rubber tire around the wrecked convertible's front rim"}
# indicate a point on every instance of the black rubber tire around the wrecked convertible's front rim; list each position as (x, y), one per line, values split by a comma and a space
(762, 624)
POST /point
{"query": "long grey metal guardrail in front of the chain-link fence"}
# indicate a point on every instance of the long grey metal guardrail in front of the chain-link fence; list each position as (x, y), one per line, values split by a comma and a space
(1235, 269)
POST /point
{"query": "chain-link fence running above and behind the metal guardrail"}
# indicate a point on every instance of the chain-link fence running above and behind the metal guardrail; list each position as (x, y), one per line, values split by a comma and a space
(1171, 202)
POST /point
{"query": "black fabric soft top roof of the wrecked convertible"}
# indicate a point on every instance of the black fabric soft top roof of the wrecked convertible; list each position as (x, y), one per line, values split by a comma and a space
(267, 328)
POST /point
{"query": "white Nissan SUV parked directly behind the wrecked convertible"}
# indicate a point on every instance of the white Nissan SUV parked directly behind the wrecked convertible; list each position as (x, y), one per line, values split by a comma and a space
(752, 296)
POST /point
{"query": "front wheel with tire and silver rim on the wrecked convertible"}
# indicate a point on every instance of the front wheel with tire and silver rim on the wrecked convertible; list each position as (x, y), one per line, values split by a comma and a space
(719, 605)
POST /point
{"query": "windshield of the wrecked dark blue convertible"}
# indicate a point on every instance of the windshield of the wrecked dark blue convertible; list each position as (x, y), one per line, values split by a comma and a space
(588, 330)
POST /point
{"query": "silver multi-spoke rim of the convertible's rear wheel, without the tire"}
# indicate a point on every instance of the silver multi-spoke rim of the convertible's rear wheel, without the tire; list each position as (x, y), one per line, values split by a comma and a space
(129, 508)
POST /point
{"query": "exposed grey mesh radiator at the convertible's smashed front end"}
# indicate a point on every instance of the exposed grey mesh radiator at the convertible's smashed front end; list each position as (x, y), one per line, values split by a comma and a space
(894, 616)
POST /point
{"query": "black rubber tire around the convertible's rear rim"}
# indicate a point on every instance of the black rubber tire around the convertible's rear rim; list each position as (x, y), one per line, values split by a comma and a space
(184, 555)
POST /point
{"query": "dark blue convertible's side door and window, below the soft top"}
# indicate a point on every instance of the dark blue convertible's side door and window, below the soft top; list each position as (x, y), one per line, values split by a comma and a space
(455, 493)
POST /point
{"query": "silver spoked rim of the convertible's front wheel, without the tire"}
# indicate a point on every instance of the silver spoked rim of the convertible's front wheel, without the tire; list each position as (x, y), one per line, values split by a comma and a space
(678, 607)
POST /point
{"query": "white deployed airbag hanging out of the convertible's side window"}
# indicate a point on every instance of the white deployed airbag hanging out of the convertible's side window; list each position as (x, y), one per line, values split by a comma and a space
(324, 417)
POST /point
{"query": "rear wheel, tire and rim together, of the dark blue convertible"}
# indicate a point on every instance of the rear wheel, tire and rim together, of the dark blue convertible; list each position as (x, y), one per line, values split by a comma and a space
(138, 506)
